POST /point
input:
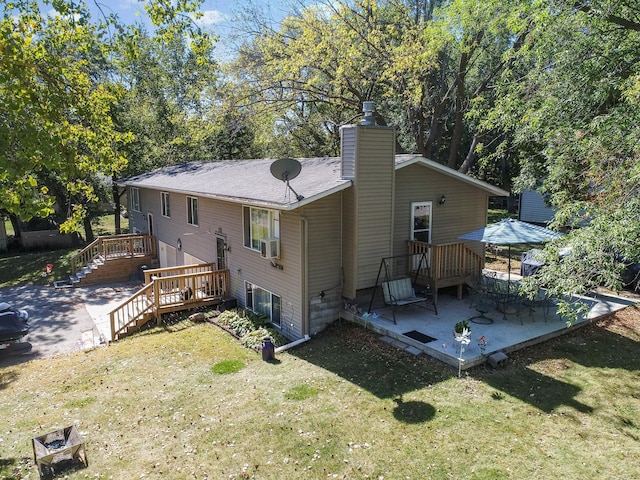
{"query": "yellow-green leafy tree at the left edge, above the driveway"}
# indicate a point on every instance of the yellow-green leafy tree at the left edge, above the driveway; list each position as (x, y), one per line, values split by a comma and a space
(55, 114)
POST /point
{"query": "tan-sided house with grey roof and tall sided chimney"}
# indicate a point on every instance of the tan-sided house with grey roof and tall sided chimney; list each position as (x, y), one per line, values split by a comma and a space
(296, 249)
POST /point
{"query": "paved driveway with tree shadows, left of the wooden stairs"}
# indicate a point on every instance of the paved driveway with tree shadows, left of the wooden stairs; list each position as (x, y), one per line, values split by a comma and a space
(62, 320)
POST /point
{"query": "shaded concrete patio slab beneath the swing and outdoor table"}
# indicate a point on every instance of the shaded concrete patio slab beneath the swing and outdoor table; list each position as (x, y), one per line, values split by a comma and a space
(510, 331)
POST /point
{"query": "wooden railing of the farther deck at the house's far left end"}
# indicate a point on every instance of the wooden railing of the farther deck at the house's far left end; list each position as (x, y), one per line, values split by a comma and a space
(114, 246)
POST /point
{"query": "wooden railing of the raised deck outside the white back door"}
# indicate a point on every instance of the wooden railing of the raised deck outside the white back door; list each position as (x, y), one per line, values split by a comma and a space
(450, 261)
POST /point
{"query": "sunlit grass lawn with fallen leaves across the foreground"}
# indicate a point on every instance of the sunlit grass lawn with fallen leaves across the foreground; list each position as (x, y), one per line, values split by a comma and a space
(191, 403)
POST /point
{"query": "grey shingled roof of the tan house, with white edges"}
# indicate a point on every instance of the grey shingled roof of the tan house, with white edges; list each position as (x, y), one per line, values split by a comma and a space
(251, 182)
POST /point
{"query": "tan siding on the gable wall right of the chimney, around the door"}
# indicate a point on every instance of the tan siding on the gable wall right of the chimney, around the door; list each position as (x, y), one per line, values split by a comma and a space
(465, 209)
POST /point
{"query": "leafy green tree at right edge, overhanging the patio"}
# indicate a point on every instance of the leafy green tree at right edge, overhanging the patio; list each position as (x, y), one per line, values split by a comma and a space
(574, 118)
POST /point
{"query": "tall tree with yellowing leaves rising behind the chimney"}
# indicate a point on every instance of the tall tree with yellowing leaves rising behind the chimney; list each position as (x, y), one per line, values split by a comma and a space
(430, 66)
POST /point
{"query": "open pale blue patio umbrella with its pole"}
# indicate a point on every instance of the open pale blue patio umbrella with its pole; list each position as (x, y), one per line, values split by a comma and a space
(508, 232)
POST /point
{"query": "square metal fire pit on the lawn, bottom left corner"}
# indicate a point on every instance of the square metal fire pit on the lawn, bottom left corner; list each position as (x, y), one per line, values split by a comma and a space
(59, 450)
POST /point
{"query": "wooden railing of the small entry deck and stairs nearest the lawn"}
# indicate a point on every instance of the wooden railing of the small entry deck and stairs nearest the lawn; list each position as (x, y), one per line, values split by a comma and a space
(164, 293)
